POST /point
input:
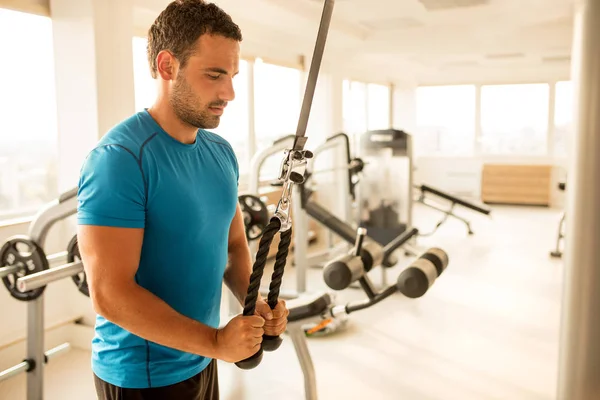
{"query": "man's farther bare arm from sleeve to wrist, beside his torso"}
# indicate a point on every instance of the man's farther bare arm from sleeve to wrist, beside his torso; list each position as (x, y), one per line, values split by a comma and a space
(239, 268)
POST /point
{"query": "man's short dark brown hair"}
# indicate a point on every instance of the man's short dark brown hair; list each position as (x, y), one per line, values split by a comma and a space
(179, 26)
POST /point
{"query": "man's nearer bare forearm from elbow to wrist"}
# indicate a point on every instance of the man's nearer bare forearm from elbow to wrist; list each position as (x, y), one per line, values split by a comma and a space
(144, 314)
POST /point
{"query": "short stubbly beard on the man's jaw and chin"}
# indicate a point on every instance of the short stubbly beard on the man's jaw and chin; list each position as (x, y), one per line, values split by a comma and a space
(188, 108)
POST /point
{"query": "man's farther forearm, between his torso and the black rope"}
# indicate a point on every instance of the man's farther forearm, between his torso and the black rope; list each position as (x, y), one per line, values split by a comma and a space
(238, 271)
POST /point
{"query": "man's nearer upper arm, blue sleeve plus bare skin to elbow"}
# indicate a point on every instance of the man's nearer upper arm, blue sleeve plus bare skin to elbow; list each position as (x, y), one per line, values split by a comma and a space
(111, 219)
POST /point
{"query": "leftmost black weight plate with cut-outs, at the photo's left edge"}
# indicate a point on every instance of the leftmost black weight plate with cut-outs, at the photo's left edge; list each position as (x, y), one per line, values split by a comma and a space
(22, 251)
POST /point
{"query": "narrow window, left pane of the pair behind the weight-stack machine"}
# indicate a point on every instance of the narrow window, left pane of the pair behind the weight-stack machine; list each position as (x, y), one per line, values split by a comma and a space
(354, 110)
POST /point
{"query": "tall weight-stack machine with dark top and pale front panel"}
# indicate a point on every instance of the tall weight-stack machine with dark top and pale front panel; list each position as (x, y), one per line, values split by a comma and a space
(385, 193)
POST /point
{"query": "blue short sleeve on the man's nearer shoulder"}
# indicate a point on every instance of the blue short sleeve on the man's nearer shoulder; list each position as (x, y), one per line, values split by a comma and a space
(112, 191)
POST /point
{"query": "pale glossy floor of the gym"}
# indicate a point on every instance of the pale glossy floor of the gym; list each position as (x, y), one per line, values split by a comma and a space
(488, 329)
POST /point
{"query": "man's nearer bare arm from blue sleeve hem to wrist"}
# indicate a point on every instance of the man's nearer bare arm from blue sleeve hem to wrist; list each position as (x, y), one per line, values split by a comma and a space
(111, 257)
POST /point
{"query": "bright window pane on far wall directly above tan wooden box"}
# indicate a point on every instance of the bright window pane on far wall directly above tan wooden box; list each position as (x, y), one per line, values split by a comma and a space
(514, 119)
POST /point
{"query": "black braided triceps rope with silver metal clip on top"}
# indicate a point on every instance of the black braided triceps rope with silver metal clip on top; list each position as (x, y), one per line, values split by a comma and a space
(293, 168)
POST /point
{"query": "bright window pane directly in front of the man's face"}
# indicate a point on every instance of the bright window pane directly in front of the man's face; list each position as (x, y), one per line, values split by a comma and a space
(234, 126)
